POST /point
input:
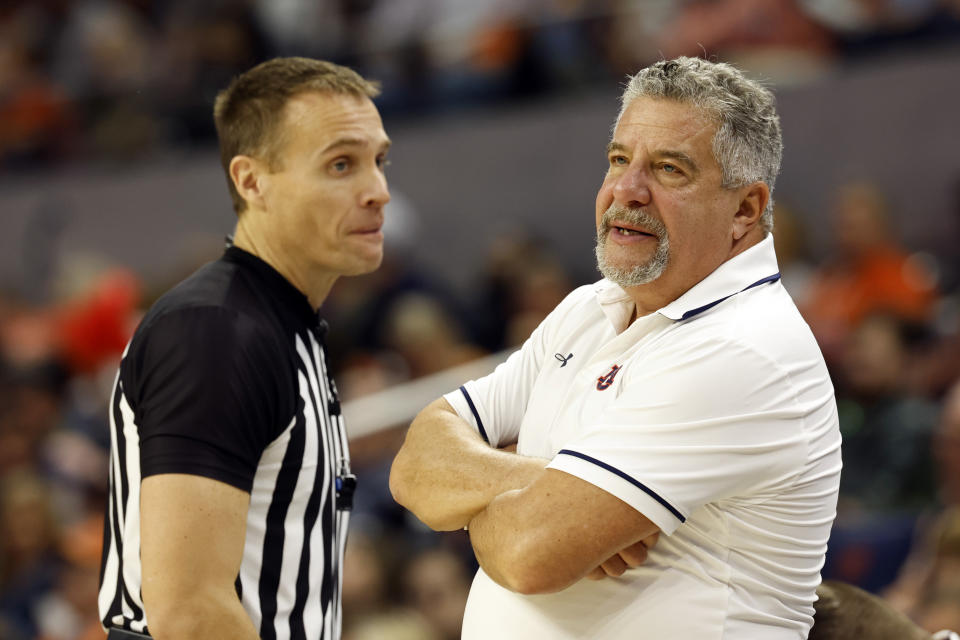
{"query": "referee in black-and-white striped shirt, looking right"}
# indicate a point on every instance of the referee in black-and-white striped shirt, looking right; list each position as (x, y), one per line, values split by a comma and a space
(230, 476)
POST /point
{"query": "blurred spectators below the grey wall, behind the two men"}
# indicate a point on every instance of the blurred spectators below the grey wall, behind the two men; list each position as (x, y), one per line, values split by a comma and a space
(885, 315)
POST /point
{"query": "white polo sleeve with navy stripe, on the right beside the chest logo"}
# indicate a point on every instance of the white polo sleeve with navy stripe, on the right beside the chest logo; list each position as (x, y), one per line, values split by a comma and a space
(720, 421)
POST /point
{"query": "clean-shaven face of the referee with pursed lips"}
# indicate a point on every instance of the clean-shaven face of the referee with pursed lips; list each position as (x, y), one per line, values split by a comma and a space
(324, 199)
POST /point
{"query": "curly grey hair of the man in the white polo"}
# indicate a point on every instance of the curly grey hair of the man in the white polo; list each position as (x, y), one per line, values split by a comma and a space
(748, 145)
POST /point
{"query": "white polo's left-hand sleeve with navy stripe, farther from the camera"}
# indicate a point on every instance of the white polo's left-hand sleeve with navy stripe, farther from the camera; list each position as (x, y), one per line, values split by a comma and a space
(495, 404)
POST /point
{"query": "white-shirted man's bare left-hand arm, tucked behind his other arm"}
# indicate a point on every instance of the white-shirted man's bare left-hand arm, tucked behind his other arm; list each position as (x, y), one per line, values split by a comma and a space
(446, 474)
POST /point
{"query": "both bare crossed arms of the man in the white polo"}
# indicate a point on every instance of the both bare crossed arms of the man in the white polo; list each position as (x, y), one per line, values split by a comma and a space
(534, 530)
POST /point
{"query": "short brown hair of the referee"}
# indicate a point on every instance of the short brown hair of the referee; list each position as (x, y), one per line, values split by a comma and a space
(248, 113)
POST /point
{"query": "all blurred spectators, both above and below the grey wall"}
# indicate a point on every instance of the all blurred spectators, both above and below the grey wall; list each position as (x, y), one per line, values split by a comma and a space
(113, 79)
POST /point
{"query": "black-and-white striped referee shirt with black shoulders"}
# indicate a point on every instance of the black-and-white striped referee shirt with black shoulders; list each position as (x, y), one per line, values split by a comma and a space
(226, 378)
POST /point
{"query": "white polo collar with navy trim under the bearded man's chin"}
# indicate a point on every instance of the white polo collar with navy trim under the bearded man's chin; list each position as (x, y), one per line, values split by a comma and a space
(755, 266)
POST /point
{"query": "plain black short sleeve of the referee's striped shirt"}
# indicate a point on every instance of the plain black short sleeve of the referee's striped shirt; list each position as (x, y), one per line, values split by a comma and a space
(207, 394)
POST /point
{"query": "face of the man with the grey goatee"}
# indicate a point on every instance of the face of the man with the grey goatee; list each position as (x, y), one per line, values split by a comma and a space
(664, 222)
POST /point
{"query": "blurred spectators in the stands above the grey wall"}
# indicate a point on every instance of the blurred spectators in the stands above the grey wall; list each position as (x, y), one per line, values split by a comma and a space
(114, 79)
